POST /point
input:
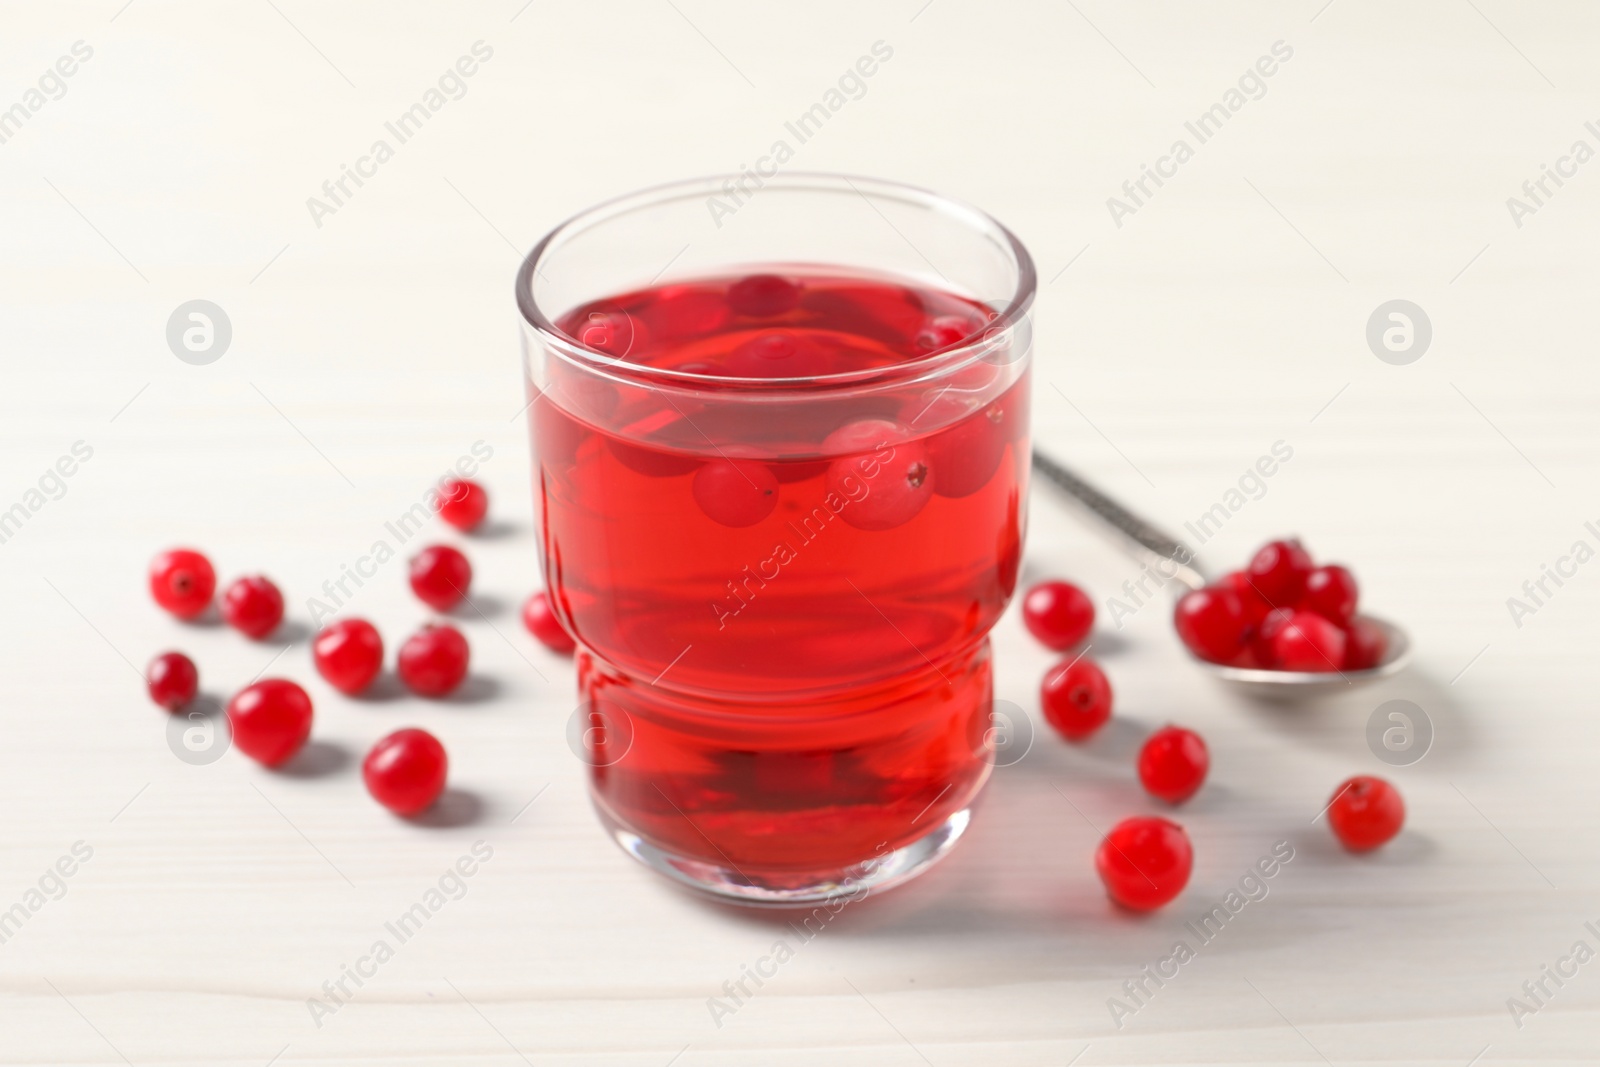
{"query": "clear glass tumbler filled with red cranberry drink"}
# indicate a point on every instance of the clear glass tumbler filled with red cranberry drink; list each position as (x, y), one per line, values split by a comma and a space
(782, 460)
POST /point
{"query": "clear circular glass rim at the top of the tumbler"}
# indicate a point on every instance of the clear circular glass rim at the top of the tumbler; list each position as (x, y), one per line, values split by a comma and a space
(975, 348)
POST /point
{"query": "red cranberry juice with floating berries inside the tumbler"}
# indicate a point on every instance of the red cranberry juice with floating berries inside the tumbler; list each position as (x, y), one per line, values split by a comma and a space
(782, 586)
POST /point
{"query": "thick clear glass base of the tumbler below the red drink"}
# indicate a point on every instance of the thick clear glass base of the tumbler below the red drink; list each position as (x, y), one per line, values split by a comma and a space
(788, 889)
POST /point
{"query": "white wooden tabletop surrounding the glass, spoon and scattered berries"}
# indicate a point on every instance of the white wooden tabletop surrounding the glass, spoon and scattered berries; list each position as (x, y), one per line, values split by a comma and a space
(372, 351)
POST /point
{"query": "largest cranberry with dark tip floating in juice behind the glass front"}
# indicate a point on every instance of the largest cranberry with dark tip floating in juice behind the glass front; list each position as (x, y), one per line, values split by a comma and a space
(882, 478)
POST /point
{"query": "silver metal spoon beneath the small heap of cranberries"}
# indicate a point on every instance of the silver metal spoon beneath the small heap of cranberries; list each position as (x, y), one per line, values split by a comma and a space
(1170, 556)
